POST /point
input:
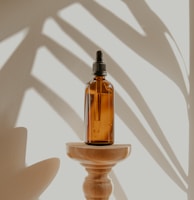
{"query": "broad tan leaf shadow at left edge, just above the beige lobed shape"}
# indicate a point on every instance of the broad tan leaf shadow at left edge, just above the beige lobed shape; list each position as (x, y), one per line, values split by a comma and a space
(14, 75)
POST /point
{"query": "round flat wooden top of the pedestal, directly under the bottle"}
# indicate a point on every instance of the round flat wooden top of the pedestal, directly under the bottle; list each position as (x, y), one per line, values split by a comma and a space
(109, 154)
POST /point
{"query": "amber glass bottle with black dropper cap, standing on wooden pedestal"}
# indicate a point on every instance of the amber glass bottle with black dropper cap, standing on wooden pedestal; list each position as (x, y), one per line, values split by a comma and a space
(99, 106)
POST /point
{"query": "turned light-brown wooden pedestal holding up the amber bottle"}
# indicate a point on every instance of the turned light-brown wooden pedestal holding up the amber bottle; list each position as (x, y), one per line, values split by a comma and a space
(98, 161)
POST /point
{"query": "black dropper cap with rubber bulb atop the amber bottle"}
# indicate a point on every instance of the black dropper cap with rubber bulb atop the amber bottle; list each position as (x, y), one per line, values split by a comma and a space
(99, 67)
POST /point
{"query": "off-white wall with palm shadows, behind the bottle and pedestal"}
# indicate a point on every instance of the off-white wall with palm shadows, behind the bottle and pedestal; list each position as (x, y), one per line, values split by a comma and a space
(46, 52)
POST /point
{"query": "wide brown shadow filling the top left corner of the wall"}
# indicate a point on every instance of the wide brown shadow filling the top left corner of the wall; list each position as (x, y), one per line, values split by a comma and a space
(17, 15)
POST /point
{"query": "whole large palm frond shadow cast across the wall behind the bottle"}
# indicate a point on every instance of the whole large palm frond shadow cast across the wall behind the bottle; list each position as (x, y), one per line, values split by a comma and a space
(16, 76)
